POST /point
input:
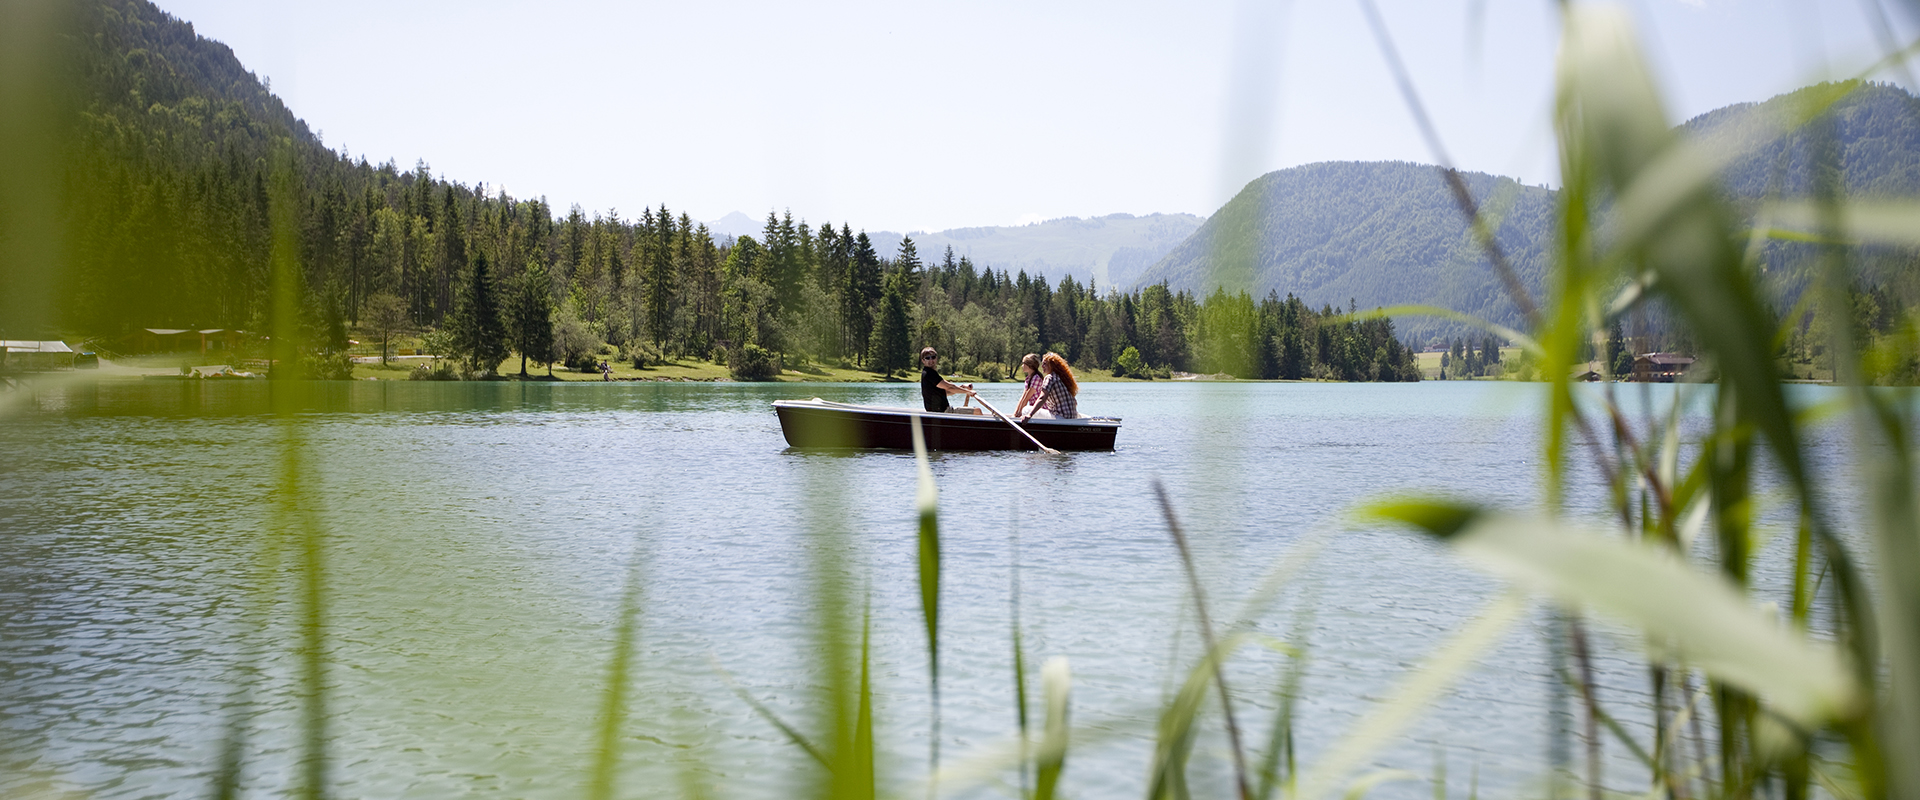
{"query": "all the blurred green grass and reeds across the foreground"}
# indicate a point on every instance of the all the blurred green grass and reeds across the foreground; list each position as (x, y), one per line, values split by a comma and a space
(1750, 699)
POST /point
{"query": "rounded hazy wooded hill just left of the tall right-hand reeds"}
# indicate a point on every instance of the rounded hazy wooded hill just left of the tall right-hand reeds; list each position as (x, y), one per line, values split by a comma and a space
(1378, 233)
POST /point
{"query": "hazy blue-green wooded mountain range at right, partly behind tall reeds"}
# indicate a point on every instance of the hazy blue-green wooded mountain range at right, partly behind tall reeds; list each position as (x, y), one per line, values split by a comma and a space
(1389, 233)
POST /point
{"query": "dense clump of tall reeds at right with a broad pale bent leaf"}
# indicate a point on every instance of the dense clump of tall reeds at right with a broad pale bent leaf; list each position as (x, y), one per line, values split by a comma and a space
(1641, 216)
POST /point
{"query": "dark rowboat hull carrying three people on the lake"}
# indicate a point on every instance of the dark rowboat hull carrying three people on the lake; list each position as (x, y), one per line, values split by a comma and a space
(817, 423)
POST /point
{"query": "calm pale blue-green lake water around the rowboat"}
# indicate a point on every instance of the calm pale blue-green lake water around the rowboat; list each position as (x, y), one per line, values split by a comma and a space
(479, 536)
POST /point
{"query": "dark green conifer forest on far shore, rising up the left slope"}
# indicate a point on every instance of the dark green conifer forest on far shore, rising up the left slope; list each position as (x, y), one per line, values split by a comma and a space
(183, 170)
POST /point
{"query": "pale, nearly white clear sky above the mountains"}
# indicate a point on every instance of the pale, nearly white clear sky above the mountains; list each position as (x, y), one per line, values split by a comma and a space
(900, 116)
